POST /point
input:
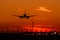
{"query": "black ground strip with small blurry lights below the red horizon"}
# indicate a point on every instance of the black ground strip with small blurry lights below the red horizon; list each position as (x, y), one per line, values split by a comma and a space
(29, 36)
